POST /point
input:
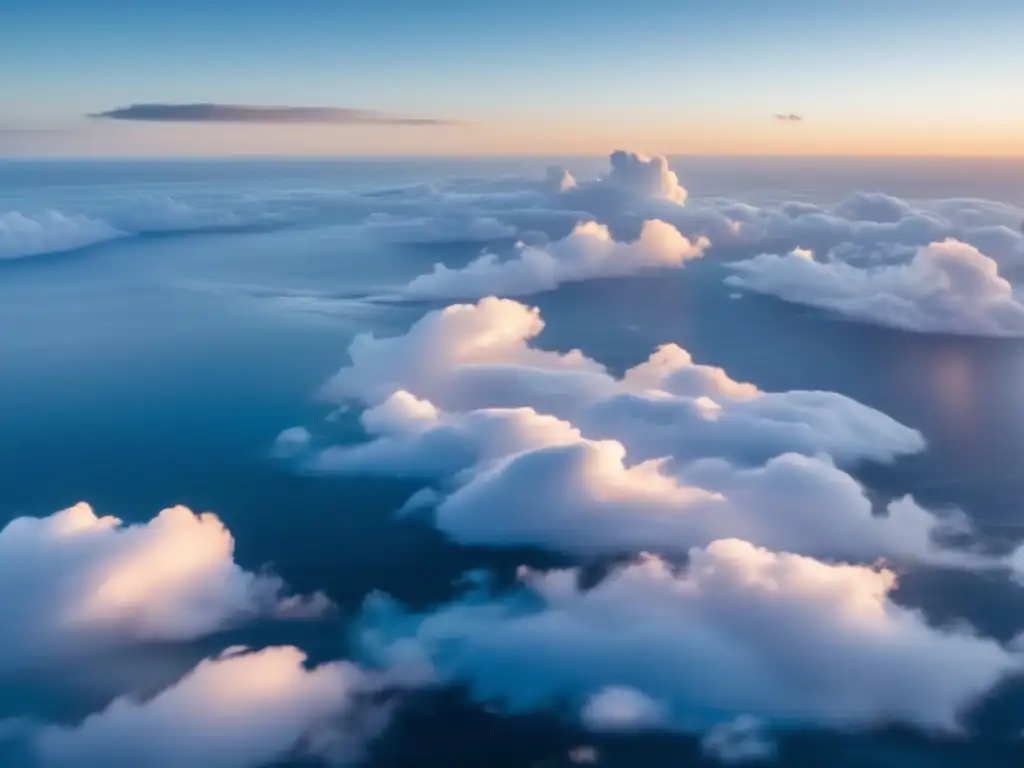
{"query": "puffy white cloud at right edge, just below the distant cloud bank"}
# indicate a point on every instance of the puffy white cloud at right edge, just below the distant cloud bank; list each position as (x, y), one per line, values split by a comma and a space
(948, 287)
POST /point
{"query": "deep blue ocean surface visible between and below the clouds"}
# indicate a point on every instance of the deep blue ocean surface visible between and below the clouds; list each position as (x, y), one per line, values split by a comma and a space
(168, 319)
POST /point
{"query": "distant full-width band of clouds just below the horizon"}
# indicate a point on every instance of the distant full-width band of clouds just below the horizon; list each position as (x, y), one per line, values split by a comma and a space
(632, 190)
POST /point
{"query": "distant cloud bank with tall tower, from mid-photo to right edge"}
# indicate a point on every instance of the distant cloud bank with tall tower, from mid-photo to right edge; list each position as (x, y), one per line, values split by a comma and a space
(636, 189)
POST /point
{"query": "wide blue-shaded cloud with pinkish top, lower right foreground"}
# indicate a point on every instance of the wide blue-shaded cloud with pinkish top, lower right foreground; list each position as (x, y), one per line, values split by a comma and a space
(742, 631)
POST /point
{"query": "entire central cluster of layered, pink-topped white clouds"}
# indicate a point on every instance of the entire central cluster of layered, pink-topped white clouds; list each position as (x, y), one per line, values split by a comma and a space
(549, 450)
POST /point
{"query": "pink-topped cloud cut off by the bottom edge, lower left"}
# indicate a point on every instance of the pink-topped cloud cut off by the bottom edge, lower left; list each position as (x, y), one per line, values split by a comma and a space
(240, 710)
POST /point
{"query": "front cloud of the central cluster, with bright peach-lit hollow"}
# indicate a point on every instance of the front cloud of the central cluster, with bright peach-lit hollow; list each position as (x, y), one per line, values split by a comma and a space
(585, 499)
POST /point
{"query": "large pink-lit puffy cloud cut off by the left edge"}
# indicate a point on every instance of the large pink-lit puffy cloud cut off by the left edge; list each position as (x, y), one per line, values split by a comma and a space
(74, 583)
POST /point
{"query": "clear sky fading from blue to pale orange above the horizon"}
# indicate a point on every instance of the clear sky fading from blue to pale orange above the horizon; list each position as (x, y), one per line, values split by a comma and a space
(869, 77)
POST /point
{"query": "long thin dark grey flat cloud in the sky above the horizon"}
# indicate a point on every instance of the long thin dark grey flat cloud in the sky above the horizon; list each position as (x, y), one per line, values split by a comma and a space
(212, 113)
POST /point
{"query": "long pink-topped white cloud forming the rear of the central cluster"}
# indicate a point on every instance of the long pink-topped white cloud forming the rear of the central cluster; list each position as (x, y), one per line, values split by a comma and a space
(471, 357)
